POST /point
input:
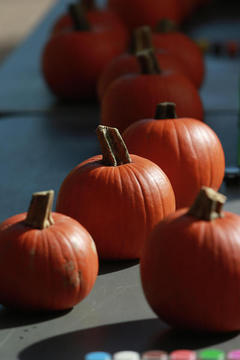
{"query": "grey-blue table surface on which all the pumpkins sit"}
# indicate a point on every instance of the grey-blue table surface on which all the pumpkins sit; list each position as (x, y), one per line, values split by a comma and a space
(40, 142)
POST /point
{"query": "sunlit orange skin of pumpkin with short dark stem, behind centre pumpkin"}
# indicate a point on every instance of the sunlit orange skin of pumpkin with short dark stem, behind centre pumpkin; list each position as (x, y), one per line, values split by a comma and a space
(187, 150)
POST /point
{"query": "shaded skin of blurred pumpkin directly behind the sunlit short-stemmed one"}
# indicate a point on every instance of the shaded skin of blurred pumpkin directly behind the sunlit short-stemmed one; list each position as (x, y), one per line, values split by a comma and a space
(131, 98)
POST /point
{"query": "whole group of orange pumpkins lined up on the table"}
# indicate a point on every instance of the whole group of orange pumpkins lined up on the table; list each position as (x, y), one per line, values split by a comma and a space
(159, 203)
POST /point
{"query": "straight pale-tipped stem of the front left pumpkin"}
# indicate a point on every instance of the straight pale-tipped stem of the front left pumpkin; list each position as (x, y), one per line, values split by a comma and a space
(39, 214)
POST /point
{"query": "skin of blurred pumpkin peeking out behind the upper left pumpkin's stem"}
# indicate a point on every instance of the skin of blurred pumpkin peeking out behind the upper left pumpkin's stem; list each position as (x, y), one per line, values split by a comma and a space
(106, 19)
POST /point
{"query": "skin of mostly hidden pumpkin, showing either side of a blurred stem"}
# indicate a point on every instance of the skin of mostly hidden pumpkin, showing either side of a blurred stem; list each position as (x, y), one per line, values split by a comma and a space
(127, 64)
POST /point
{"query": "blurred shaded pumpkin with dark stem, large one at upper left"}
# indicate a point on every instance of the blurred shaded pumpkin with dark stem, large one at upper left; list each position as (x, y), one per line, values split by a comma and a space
(73, 59)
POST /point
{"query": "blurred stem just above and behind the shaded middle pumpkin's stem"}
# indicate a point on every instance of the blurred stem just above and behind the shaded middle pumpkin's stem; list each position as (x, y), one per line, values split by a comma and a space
(141, 39)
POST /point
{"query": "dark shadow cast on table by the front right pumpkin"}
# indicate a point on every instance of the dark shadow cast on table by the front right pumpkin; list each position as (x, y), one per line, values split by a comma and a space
(138, 335)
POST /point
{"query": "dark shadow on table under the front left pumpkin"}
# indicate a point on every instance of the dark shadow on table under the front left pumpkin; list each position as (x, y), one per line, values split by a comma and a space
(12, 318)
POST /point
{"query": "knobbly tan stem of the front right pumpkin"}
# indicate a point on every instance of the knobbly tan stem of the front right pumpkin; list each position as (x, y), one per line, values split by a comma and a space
(208, 205)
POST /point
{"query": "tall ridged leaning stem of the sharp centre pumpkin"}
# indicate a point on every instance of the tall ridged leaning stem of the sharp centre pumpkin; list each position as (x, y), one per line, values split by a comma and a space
(114, 150)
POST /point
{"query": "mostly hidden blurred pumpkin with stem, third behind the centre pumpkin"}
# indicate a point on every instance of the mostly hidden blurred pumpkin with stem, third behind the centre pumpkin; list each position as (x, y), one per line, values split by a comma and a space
(127, 63)
